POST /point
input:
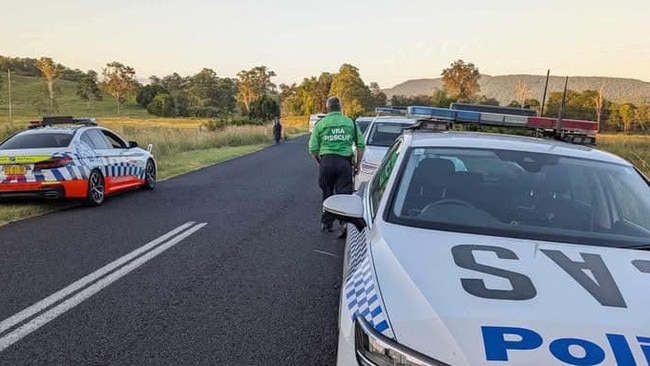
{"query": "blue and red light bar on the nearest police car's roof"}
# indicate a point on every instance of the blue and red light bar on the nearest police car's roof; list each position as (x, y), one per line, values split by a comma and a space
(570, 130)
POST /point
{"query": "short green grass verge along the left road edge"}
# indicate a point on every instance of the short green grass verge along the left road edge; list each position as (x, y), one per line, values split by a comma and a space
(167, 167)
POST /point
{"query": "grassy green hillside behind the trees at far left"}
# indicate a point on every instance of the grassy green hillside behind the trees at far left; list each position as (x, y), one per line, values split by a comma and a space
(26, 90)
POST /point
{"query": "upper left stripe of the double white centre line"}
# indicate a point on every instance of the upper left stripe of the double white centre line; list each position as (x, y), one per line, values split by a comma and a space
(61, 294)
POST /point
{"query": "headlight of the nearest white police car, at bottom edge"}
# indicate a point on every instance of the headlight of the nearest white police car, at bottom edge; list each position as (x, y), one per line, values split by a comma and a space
(375, 349)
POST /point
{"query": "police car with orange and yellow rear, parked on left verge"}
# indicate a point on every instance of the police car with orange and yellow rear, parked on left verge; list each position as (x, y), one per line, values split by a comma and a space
(66, 157)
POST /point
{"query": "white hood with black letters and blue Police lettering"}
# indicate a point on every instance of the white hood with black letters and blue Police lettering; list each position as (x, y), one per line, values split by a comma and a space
(475, 300)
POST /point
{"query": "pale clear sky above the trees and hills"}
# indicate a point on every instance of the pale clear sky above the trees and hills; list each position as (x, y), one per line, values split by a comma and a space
(390, 41)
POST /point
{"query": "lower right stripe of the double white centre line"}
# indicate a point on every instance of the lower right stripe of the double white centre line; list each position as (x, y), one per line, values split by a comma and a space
(77, 299)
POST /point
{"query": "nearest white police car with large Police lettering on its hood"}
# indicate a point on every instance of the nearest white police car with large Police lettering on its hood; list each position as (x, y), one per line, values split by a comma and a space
(537, 252)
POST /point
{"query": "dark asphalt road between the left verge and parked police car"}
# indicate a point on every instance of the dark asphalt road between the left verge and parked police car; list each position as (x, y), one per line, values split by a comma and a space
(258, 284)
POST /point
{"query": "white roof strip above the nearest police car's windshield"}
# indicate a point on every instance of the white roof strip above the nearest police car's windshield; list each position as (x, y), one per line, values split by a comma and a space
(511, 142)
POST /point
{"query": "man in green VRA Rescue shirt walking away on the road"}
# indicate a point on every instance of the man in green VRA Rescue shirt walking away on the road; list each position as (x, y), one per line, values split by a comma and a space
(331, 146)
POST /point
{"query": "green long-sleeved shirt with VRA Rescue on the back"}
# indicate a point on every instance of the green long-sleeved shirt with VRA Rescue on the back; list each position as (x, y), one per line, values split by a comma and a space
(334, 134)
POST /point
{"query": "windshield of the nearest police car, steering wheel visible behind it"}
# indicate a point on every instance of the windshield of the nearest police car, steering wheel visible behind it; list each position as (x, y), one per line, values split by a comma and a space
(524, 195)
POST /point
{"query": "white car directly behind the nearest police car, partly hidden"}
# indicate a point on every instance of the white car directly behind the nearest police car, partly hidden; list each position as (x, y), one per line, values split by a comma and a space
(379, 135)
